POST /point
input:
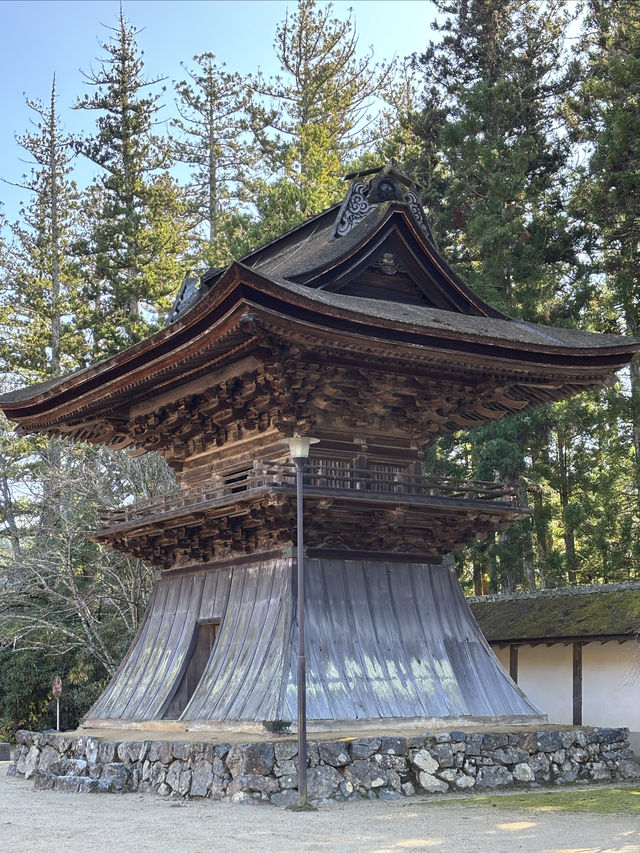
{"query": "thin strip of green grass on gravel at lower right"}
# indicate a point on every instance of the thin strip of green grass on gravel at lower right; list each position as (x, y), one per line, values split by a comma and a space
(595, 801)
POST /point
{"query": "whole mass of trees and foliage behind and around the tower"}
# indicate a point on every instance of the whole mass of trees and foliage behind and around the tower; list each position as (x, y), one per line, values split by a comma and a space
(526, 144)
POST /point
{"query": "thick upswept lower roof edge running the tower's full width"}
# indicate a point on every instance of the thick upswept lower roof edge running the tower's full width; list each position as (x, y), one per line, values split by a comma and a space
(425, 327)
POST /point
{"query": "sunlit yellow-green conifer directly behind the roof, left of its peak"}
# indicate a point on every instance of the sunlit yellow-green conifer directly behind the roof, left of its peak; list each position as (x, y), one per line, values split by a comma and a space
(308, 121)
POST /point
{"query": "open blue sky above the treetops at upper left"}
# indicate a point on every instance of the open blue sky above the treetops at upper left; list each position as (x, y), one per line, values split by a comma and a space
(43, 37)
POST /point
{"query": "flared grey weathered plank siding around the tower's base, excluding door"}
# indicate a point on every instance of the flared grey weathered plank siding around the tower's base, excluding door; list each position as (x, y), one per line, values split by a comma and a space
(384, 640)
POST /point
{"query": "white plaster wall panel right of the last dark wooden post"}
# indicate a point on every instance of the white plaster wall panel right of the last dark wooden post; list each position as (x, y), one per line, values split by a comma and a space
(611, 684)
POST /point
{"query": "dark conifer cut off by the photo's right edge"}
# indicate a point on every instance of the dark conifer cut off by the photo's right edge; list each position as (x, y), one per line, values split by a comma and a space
(604, 117)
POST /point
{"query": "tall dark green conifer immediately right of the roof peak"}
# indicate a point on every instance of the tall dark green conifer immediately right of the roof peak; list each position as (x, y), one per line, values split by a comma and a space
(495, 174)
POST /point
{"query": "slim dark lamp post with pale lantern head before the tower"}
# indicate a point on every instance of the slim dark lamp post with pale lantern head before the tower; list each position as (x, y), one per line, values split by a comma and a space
(299, 451)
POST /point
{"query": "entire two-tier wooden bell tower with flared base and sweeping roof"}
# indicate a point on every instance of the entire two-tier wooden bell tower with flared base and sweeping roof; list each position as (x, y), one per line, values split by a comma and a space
(353, 329)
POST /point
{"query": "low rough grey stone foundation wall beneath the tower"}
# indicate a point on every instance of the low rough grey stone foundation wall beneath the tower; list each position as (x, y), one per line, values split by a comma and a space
(366, 767)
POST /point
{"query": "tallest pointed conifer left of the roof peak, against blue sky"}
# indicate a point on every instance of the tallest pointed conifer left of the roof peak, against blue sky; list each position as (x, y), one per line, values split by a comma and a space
(136, 216)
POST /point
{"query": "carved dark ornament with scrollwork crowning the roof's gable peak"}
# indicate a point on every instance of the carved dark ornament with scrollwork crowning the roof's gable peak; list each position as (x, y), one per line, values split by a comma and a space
(385, 183)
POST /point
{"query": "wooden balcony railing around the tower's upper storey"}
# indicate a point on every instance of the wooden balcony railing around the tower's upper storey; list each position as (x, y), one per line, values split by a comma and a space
(317, 477)
